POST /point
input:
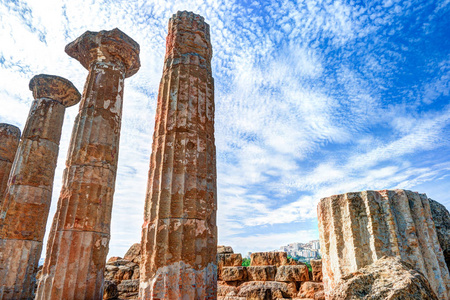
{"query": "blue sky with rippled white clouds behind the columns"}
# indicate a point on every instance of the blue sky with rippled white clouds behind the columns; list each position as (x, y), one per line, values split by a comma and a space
(313, 98)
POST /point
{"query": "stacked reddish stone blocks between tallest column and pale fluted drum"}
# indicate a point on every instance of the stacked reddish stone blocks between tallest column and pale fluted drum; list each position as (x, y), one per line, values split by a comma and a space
(271, 275)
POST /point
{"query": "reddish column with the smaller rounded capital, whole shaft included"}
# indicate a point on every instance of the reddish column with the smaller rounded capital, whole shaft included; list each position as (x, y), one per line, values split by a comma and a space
(27, 199)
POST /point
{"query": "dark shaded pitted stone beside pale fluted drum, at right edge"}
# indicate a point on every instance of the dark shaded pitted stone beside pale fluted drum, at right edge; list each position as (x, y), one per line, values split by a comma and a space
(441, 218)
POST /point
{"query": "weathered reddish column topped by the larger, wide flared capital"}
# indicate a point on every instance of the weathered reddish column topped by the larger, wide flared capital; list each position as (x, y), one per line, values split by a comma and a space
(79, 238)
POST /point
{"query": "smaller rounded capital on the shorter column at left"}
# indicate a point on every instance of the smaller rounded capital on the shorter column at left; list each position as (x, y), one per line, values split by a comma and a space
(55, 88)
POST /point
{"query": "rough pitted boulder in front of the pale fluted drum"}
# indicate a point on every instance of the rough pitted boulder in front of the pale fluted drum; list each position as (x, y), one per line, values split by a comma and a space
(386, 279)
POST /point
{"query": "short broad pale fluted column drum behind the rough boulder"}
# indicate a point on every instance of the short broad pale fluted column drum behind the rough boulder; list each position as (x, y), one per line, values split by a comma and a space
(357, 229)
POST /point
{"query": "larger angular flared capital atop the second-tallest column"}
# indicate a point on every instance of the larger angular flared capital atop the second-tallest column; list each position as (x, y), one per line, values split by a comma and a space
(111, 46)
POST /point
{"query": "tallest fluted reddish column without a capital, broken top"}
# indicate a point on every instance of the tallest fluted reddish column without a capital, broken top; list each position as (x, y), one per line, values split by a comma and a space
(179, 234)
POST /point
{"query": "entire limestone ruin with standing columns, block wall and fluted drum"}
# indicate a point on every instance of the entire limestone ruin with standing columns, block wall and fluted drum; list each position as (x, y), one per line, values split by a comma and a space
(361, 234)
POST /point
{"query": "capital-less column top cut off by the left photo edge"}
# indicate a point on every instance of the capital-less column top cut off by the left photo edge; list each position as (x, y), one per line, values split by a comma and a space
(9, 140)
